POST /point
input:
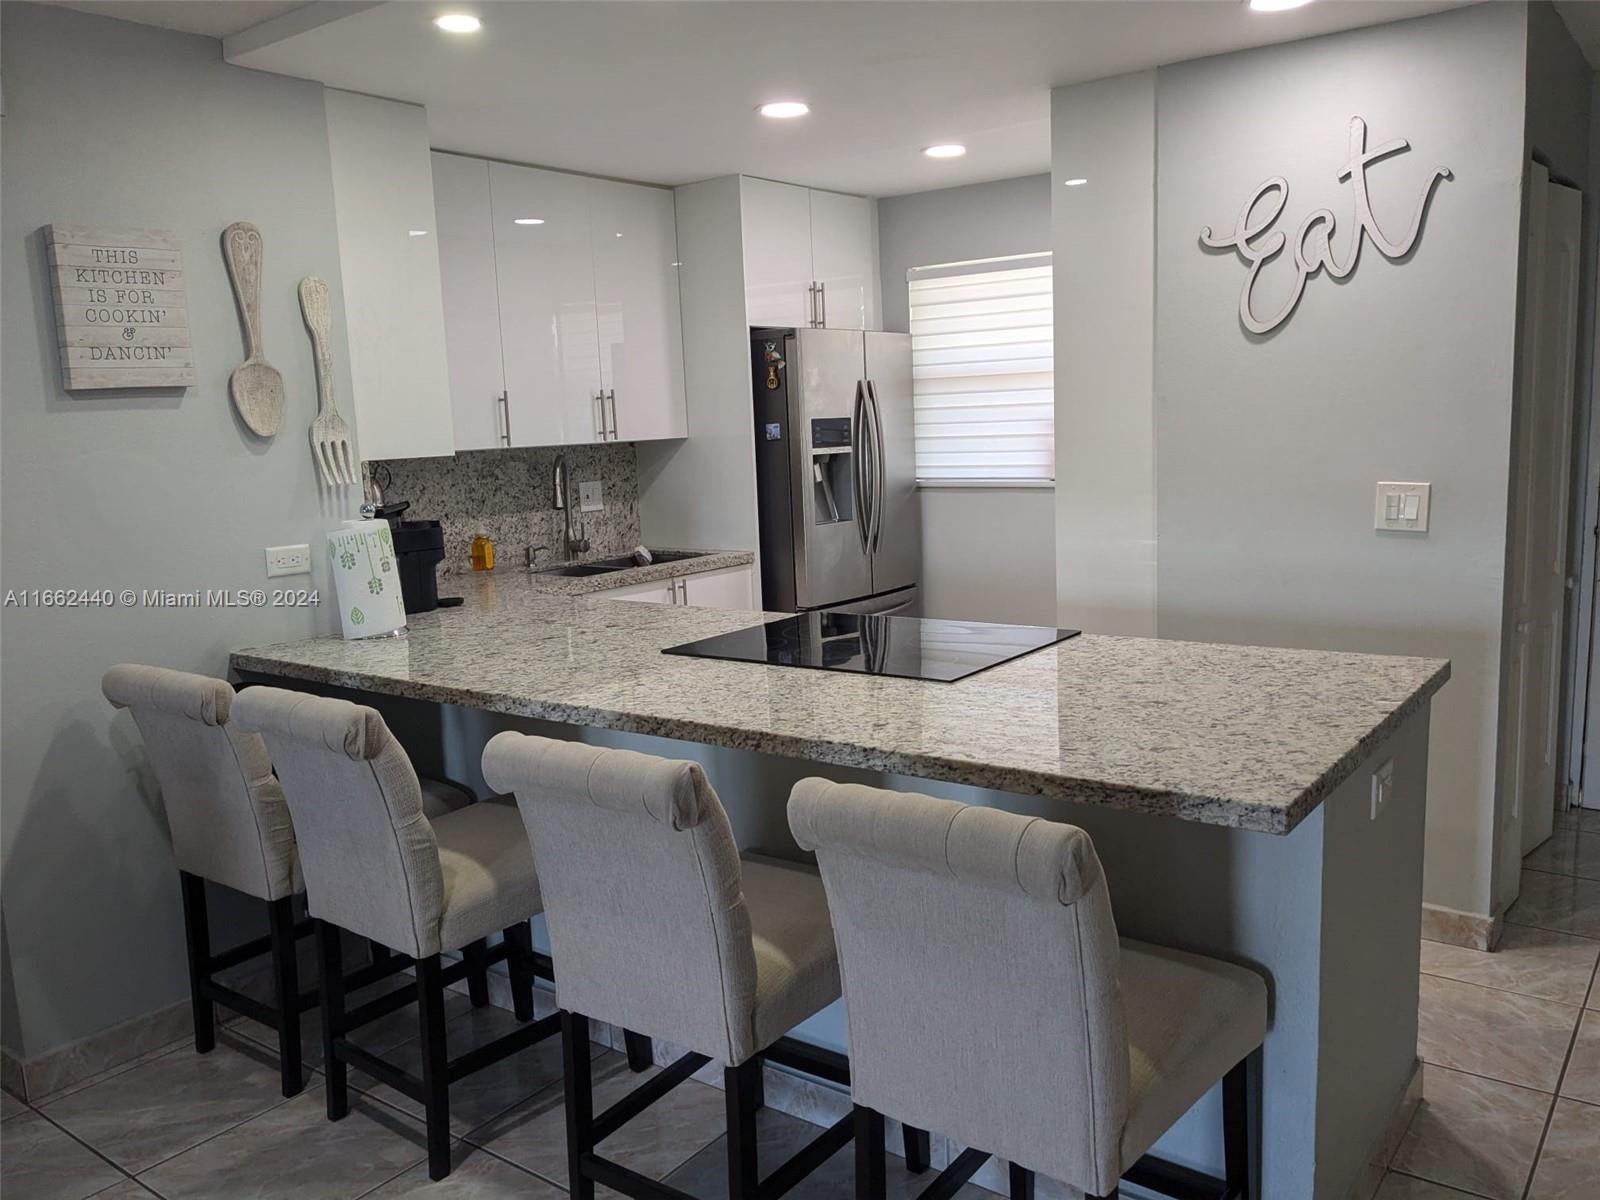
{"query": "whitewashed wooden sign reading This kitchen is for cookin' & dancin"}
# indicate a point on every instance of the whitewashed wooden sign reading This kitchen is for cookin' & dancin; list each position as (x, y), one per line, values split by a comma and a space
(121, 311)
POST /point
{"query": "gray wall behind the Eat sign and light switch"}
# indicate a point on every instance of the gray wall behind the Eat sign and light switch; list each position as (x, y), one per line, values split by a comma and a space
(1268, 449)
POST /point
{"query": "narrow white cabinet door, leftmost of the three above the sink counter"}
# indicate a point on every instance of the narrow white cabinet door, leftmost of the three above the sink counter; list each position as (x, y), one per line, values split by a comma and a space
(473, 324)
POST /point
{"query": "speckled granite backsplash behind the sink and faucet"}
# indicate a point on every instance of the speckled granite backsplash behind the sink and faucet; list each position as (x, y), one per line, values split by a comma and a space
(506, 495)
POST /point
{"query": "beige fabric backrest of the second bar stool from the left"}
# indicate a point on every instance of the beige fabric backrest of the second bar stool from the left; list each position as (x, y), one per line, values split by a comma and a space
(367, 850)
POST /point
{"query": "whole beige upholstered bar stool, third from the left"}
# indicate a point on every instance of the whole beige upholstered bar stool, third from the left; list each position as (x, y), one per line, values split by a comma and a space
(658, 926)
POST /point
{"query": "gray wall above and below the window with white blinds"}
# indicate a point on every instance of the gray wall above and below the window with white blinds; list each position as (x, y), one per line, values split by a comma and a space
(988, 554)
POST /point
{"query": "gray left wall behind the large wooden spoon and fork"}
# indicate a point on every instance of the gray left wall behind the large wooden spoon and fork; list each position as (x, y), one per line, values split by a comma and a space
(118, 124)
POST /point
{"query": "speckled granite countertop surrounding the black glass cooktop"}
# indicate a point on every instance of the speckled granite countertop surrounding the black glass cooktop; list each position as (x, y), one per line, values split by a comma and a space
(1242, 737)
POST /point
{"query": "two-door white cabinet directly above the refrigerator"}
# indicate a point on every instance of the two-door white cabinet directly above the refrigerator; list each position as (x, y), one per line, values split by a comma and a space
(810, 258)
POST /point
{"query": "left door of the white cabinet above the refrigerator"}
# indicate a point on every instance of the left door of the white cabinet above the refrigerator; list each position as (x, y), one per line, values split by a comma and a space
(778, 278)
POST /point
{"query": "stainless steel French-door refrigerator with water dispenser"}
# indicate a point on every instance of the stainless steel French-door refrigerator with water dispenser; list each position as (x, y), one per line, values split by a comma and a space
(836, 473)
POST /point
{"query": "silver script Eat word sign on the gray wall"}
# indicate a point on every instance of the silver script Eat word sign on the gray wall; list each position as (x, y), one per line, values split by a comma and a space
(1313, 242)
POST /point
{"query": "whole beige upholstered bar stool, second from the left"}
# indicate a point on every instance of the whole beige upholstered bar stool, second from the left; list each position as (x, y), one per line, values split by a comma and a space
(375, 865)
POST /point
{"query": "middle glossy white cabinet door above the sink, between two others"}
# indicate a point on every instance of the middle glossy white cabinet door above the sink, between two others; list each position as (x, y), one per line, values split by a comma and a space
(546, 282)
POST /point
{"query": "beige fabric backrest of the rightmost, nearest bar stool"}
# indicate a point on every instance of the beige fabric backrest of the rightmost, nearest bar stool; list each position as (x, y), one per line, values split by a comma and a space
(980, 964)
